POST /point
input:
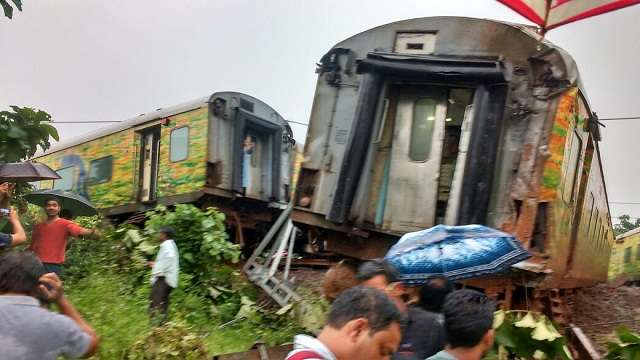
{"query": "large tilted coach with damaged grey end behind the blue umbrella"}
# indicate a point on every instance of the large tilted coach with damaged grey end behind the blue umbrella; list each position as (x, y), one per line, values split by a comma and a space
(449, 120)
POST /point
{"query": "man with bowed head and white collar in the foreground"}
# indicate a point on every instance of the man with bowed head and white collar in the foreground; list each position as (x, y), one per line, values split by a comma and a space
(363, 324)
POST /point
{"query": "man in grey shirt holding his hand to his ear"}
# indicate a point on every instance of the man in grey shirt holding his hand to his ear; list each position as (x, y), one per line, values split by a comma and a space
(28, 331)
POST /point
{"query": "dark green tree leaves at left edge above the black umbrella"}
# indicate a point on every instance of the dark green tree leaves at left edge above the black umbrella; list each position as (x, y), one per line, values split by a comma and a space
(22, 131)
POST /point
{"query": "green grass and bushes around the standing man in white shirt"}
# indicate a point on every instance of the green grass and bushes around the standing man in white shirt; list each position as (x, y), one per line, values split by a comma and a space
(211, 313)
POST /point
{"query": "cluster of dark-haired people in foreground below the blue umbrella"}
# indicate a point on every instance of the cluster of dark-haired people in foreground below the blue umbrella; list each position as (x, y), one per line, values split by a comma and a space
(375, 316)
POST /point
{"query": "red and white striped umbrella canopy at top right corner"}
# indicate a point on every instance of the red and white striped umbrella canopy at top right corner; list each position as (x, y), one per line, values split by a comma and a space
(549, 14)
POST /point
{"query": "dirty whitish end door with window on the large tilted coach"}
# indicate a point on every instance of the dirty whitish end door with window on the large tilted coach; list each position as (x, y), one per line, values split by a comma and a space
(415, 158)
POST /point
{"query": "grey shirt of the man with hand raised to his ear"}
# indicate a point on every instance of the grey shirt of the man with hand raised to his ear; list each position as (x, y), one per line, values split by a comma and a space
(29, 332)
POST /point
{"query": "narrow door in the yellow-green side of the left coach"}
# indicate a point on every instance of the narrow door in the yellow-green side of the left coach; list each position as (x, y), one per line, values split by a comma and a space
(149, 156)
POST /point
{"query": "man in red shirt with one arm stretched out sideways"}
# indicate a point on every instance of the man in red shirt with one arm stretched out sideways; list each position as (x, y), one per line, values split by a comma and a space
(49, 238)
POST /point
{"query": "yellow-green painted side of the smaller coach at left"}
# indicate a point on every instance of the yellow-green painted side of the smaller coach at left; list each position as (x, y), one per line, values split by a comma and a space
(174, 178)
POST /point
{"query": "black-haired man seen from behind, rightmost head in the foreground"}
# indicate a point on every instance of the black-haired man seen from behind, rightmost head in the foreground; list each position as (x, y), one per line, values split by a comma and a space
(468, 318)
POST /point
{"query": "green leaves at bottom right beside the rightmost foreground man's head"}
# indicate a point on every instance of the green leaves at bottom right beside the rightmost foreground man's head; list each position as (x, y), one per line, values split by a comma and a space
(526, 335)
